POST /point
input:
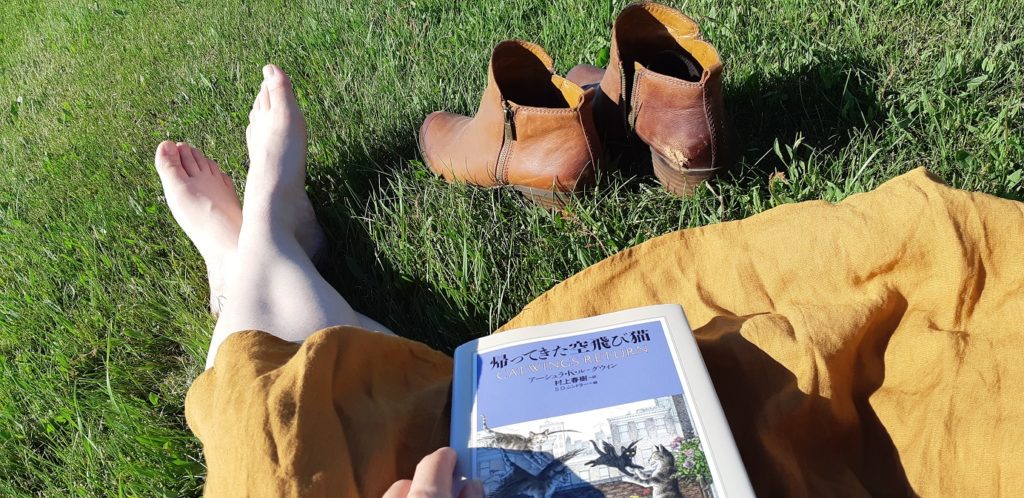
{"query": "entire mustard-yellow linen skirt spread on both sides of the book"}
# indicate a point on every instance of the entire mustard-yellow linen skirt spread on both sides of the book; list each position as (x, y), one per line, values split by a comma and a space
(870, 348)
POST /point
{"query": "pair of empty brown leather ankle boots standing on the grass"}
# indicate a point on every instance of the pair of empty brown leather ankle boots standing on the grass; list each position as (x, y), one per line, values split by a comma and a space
(544, 135)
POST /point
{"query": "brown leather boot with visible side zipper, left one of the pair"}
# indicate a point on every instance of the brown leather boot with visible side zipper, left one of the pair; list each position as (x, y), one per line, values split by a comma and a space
(534, 131)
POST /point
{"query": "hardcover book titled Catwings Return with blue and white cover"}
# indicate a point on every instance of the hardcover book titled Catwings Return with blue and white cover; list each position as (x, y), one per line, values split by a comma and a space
(619, 405)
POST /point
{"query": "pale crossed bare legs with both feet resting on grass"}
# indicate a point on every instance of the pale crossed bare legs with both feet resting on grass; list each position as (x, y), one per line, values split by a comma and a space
(260, 256)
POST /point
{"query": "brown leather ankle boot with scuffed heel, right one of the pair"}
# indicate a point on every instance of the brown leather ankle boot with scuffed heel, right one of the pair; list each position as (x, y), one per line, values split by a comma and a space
(664, 87)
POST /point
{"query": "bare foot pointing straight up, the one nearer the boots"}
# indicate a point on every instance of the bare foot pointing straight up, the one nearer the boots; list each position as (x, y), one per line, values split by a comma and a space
(277, 141)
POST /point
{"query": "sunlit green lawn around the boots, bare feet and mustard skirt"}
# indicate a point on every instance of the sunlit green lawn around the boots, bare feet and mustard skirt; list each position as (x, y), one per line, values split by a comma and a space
(102, 299)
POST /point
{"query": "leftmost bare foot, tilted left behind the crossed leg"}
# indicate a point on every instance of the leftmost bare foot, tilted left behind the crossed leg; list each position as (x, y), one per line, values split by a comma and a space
(203, 201)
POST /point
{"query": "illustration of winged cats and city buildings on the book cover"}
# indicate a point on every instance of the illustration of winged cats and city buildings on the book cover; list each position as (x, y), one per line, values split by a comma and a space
(648, 448)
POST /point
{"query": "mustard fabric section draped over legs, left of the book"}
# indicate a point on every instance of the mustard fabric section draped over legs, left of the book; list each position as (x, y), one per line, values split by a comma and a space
(342, 416)
